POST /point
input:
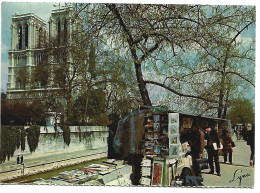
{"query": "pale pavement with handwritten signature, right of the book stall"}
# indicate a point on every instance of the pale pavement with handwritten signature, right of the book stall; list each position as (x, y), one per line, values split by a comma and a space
(241, 166)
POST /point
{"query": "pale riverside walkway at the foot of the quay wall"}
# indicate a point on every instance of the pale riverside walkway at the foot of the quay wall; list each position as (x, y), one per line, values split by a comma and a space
(48, 162)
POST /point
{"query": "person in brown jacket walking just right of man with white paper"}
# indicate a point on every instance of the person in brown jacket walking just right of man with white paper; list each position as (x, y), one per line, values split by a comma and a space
(227, 145)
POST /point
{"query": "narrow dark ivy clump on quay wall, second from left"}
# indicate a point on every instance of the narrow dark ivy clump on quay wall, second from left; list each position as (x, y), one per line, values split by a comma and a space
(33, 135)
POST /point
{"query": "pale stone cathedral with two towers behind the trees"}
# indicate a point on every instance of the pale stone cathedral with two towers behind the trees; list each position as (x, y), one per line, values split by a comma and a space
(29, 34)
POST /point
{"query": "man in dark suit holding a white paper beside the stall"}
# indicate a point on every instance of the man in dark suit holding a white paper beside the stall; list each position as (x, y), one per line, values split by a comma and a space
(212, 138)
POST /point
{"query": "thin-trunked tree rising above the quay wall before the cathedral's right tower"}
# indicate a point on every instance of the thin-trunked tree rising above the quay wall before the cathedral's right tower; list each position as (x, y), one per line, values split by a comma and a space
(68, 63)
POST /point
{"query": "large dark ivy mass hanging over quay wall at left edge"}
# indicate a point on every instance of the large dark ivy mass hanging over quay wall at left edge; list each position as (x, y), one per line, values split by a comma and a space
(10, 141)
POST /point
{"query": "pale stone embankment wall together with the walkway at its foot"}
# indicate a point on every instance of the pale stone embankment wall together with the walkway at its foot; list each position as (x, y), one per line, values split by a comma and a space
(86, 143)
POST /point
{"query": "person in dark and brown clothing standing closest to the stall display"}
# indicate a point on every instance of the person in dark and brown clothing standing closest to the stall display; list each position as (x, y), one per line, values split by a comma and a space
(197, 145)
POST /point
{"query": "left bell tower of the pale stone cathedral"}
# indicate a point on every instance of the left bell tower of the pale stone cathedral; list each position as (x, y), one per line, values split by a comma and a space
(28, 38)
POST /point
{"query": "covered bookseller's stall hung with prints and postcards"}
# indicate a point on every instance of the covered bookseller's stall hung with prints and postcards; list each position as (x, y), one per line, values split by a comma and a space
(154, 142)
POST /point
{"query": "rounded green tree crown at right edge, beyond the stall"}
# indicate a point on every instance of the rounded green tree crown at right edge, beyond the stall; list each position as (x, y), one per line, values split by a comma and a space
(242, 111)
